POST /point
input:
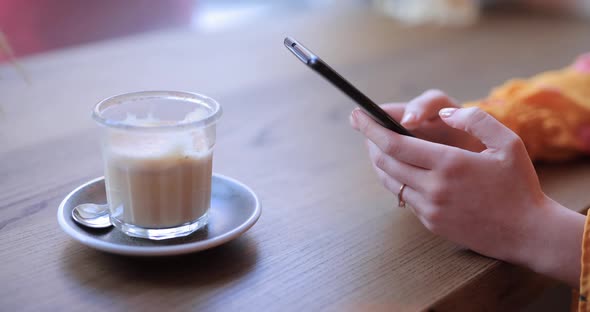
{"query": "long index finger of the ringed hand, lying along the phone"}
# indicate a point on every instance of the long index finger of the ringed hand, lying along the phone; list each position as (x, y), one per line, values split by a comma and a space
(406, 149)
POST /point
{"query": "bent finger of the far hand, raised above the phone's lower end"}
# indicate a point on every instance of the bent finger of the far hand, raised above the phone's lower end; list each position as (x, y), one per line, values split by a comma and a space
(425, 108)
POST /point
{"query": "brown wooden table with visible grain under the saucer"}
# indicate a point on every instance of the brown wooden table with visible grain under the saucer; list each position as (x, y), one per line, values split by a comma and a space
(330, 237)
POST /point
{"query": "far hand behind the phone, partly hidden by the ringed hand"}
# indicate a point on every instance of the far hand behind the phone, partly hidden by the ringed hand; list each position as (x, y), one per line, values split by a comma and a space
(421, 117)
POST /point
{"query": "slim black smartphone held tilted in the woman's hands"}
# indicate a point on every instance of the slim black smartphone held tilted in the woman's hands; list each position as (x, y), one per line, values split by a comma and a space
(372, 109)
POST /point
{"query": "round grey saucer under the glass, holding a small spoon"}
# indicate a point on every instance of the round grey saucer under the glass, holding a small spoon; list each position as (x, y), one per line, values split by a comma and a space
(234, 209)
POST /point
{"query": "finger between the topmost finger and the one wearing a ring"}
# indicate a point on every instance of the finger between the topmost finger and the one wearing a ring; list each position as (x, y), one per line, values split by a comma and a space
(400, 171)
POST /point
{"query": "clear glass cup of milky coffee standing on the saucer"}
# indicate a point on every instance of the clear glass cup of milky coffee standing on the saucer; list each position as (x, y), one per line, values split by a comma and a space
(157, 149)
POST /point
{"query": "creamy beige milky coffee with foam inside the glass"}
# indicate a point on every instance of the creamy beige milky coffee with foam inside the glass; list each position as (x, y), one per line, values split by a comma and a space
(158, 179)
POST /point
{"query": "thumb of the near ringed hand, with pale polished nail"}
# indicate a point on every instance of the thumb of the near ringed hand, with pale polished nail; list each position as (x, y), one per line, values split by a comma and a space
(493, 134)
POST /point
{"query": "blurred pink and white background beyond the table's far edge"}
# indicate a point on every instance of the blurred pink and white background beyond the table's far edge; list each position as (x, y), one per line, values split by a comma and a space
(34, 26)
